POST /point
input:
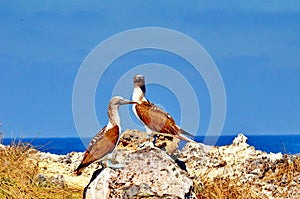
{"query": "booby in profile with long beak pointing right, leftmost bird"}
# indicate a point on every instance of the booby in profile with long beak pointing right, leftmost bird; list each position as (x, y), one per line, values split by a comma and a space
(104, 142)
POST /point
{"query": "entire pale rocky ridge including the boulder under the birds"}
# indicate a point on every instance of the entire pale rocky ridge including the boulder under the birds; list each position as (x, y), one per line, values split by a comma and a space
(165, 172)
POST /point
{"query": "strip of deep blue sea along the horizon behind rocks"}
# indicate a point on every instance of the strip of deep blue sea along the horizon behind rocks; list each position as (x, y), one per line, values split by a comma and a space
(289, 144)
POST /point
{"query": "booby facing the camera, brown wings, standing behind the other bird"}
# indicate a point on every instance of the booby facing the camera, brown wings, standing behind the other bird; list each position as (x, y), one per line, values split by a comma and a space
(156, 120)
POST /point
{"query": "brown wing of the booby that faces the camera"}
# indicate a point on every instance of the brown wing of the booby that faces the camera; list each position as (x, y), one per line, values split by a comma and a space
(157, 119)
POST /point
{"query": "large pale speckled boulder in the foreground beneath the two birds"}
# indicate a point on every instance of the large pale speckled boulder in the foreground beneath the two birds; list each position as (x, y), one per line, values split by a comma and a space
(147, 172)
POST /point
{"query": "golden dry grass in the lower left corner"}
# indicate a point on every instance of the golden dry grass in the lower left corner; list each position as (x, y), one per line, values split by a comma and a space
(18, 176)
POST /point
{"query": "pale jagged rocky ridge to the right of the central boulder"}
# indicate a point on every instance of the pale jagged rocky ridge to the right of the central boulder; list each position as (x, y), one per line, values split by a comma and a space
(244, 165)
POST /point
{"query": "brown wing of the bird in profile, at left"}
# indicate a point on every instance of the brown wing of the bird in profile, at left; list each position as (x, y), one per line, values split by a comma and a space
(102, 144)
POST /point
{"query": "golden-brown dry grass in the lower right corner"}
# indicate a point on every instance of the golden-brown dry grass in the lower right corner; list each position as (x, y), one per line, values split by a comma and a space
(284, 177)
